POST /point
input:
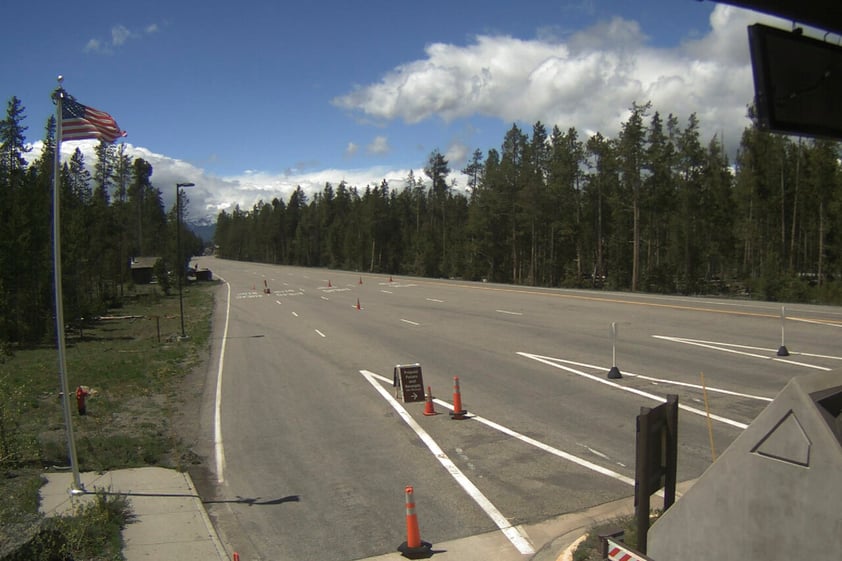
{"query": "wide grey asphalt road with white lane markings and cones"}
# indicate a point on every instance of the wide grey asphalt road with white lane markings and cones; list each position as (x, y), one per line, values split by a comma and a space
(312, 452)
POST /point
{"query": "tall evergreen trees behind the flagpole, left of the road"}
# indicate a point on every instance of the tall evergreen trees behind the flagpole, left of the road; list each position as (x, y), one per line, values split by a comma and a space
(110, 212)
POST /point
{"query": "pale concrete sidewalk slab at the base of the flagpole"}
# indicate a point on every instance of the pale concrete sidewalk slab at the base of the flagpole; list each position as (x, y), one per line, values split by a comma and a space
(170, 521)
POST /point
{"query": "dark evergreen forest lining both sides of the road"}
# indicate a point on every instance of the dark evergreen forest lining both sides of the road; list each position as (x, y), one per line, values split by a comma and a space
(656, 208)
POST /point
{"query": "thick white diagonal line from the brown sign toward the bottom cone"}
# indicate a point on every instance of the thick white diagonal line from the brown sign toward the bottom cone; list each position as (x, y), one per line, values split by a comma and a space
(515, 535)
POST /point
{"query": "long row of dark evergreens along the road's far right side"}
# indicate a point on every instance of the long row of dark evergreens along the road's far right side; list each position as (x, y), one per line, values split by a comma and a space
(653, 209)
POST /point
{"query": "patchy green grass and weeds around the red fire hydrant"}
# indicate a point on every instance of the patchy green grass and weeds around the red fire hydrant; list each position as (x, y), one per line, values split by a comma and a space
(130, 421)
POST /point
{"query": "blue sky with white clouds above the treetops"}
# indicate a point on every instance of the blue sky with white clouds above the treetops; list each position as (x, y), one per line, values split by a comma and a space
(250, 99)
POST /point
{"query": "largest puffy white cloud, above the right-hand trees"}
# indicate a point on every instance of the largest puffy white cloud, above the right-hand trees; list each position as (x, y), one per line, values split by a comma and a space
(588, 81)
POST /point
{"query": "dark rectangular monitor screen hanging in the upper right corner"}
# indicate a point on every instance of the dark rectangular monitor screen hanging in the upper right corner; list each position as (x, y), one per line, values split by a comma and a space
(797, 82)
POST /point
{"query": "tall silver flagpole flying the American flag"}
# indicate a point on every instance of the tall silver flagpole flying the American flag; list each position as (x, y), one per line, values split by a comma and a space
(77, 487)
